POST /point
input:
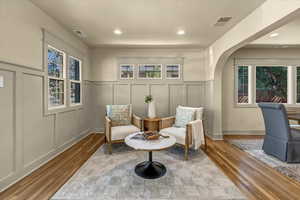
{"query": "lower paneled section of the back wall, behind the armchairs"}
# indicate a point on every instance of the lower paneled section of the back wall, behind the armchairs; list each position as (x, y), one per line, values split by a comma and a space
(166, 95)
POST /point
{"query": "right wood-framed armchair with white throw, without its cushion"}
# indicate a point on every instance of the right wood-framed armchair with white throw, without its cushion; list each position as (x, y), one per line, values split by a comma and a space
(192, 135)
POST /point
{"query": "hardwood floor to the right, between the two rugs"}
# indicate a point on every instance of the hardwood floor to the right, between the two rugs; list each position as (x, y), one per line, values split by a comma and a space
(254, 178)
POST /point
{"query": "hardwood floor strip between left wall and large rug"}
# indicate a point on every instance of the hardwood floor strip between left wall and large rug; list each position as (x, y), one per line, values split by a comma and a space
(45, 181)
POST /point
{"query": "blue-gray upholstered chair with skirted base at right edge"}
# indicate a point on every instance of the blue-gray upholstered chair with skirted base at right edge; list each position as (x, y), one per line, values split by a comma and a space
(281, 141)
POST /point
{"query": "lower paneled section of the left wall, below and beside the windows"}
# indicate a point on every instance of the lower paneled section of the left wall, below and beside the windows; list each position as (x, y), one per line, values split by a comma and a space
(29, 137)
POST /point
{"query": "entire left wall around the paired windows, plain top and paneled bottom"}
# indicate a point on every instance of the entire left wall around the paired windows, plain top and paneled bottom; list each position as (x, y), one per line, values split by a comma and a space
(29, 137)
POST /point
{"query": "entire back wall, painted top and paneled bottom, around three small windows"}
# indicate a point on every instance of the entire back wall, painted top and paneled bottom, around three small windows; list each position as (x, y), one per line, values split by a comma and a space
(108, 89)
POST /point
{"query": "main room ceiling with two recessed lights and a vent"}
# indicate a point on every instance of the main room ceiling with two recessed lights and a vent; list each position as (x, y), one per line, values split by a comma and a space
(148, 22)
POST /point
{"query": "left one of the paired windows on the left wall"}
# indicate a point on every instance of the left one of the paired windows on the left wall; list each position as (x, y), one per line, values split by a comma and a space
(56, 78)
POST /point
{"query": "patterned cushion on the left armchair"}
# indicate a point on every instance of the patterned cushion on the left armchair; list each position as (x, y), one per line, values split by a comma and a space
(119, 114)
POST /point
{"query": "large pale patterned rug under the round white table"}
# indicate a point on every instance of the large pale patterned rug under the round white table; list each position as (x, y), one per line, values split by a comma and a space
(106, 176)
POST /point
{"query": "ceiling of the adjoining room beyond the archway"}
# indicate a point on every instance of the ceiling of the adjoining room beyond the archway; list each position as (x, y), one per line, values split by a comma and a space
(289, 36)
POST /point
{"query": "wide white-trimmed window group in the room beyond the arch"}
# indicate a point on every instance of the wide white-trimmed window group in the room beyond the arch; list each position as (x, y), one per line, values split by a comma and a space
(268, 83)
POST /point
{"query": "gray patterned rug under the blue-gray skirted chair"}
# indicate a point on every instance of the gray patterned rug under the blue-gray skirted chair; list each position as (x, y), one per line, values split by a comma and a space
(254, 148)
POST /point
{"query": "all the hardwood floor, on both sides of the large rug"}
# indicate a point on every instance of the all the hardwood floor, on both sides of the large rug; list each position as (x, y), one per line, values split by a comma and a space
(255, 179)
